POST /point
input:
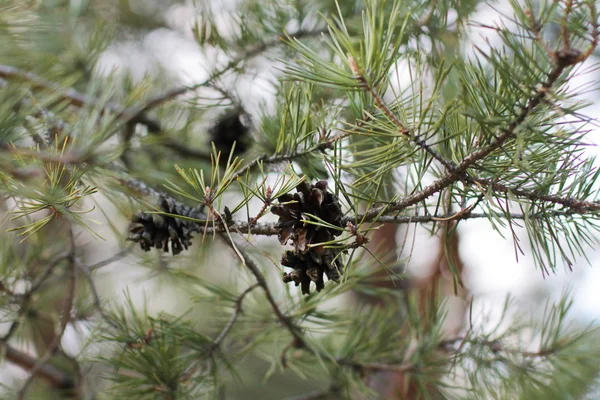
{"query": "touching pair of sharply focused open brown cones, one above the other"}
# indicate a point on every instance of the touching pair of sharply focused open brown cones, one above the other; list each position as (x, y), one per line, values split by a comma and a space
(309, 263)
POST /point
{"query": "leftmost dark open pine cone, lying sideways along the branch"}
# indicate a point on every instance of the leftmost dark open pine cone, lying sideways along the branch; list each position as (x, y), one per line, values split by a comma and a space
(157, 230)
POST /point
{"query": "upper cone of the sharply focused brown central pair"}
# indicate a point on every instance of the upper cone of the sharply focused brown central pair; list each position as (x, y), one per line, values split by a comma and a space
(309, 199)
